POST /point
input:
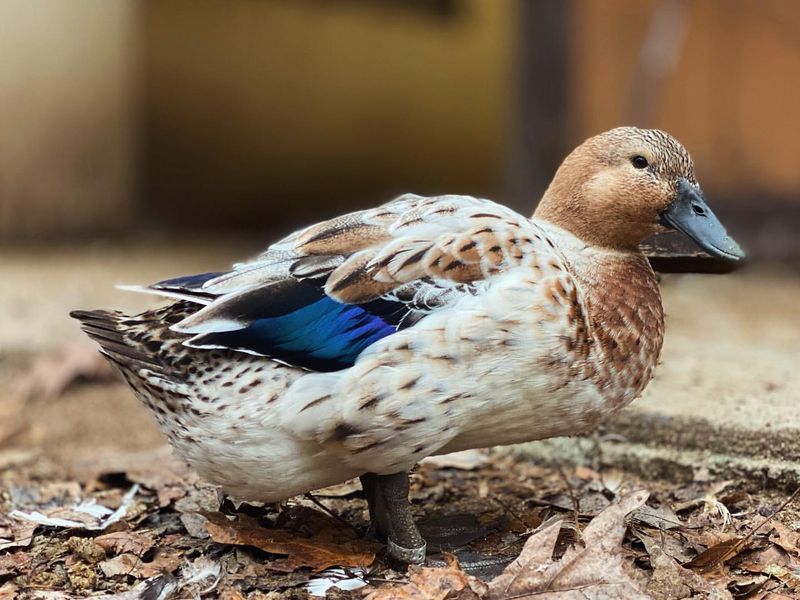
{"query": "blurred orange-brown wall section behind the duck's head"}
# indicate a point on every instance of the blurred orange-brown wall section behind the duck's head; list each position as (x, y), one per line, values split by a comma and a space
(732, 95)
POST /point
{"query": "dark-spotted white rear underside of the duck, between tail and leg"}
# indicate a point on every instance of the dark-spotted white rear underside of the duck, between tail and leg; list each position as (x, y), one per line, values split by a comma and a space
(229, 435)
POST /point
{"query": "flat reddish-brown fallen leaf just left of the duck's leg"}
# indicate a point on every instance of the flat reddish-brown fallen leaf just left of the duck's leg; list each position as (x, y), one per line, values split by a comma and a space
(329, 548)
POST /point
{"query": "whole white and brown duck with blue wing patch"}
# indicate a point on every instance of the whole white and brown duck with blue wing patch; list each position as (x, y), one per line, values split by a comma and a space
(362, 344)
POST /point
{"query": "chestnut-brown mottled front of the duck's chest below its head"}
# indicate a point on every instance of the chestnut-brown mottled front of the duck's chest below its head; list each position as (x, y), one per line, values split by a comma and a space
(625, 318)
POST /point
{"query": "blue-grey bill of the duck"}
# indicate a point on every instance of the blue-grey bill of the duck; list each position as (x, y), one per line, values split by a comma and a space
(690, 215)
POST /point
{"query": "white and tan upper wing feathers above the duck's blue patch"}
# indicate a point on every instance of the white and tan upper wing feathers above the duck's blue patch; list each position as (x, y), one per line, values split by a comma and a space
(365, 255)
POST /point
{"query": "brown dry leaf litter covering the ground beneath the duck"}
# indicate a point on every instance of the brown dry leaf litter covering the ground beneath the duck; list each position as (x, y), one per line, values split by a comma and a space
(536, 532)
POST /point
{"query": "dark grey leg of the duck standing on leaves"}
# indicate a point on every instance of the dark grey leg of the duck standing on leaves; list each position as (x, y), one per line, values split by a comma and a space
(393, 509)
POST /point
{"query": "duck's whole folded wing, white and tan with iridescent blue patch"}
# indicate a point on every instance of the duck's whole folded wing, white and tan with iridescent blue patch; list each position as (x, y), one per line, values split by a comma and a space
(319, 297)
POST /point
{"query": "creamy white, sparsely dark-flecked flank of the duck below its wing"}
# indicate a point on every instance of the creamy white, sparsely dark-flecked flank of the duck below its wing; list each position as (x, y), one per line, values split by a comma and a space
(498, 367)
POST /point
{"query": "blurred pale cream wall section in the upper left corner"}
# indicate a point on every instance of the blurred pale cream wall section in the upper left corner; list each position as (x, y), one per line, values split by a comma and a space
(67, 115)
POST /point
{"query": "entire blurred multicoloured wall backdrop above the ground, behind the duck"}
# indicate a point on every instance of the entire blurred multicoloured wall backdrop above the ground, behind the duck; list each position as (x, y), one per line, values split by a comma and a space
(254, 116)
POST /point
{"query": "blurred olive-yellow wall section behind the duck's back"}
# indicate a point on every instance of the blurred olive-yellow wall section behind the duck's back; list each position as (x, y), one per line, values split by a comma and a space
(284, 106)
